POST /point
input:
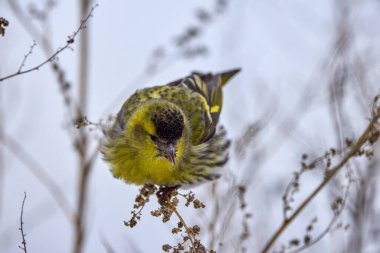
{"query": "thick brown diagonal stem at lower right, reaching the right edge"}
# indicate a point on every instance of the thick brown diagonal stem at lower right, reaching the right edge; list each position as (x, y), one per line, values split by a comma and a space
(369, 133)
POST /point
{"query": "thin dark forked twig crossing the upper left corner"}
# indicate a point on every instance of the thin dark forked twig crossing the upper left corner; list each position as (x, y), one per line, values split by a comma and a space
(69, 41)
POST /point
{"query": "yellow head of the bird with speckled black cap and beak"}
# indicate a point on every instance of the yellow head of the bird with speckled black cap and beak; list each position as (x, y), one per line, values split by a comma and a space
(159, 131)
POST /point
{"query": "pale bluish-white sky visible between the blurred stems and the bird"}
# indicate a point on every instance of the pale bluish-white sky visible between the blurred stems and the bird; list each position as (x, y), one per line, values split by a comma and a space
(281, 47)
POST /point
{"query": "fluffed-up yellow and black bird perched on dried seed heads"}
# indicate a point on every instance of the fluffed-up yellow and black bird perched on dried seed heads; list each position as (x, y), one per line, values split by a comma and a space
(169, 135)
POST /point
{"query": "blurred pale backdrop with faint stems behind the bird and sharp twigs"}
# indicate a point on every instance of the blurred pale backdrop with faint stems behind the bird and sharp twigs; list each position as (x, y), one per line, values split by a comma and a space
(310, 71)
